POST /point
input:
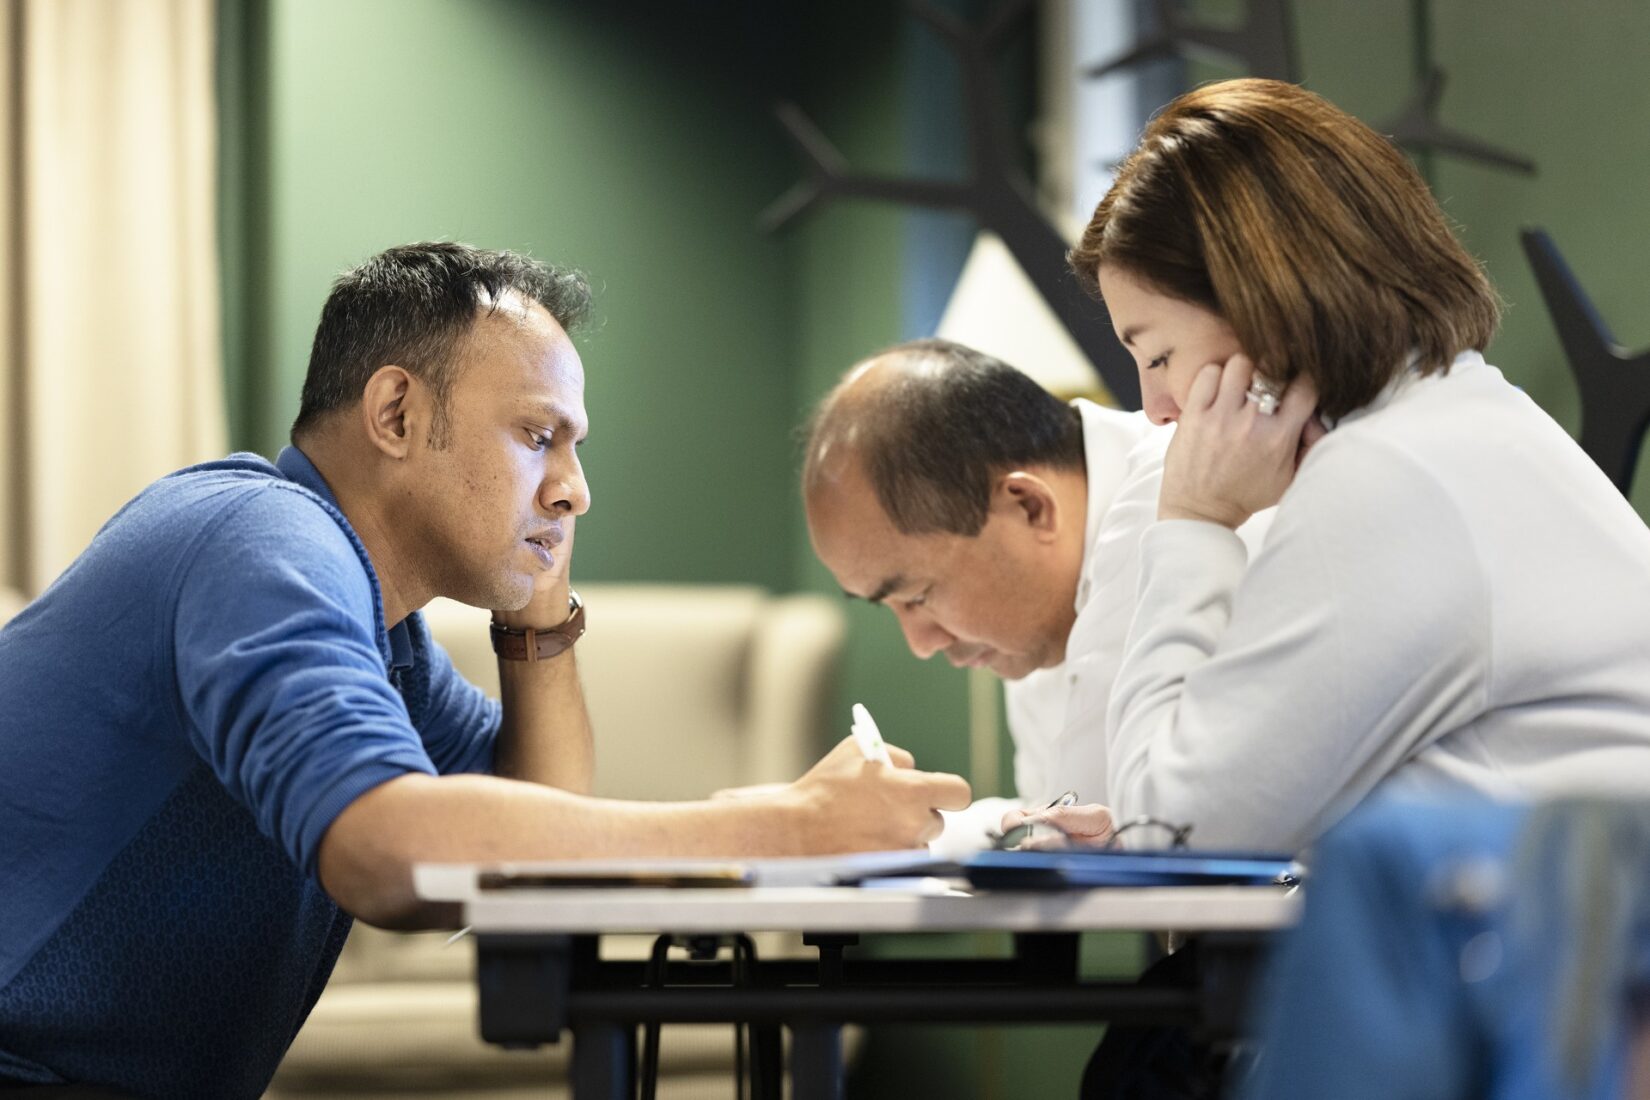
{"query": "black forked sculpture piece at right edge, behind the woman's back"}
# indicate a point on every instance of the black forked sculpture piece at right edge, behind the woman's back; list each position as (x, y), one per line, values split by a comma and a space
(1615, 383)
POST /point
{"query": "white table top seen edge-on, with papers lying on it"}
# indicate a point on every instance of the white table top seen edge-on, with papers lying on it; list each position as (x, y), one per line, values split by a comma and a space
(912, 906)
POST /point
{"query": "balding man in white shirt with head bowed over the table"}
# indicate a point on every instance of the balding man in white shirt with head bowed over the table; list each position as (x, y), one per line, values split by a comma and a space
(1002, 529)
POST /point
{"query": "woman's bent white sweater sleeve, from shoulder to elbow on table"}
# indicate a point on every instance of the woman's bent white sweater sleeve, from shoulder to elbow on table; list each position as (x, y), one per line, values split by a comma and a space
(1260, 705)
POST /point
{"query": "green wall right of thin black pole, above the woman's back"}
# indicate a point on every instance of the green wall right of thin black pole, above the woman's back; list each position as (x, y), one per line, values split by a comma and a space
(1568, 87)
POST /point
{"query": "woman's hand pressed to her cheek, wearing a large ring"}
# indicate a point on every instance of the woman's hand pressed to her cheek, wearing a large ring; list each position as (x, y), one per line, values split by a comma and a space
(1228, 461)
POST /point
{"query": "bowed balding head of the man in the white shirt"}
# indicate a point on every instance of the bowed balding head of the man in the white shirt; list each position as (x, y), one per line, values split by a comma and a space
(951, 489)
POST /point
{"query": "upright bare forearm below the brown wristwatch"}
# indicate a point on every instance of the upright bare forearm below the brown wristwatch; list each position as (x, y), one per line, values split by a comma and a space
(547, 731)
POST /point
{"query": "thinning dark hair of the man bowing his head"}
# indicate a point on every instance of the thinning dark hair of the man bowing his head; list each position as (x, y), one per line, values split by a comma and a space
(941, 430)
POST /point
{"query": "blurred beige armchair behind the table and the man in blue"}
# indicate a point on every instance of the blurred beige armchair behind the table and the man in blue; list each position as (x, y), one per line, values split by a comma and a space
(691, 690)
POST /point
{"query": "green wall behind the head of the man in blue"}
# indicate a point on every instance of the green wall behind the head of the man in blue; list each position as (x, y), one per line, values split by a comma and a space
(587, 139)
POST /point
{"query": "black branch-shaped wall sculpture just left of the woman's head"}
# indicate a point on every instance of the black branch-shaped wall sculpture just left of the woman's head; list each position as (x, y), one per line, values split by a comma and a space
(997, 192)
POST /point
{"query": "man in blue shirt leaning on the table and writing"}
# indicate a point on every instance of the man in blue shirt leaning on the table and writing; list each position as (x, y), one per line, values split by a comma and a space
(227, 731)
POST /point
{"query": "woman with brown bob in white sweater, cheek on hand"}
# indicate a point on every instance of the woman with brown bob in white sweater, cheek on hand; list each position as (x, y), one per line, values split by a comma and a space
(1451, 596)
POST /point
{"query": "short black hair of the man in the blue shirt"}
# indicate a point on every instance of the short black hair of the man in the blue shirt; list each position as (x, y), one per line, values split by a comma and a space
(410, 306)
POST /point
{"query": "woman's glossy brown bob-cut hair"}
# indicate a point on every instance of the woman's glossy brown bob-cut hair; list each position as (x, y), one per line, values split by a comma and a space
(1308, 232)
